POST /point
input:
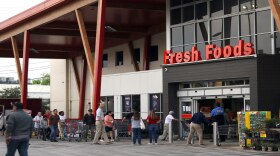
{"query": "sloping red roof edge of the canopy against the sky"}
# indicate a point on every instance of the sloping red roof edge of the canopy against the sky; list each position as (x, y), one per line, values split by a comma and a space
(31, 12)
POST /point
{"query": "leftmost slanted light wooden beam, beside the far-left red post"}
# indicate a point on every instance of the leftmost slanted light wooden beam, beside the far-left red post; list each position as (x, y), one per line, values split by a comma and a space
(16, 55)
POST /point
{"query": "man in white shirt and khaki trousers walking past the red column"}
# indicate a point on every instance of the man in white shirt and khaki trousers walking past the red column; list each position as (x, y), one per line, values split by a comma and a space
(100, 127)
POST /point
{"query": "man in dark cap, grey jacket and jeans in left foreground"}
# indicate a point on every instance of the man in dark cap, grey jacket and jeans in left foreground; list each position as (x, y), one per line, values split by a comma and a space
(19, 126)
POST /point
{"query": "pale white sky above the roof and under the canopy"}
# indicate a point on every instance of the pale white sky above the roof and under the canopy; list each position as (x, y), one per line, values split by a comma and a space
(37, 67)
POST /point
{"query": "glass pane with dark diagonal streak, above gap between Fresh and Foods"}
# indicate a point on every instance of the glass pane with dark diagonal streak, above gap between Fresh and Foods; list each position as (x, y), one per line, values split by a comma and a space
(201, 32)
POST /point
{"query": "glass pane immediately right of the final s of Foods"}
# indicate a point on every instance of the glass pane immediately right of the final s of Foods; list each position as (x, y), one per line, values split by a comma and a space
(264, 44)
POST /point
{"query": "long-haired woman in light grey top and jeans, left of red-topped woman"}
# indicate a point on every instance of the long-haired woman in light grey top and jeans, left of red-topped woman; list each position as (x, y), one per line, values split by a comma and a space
(136, 127)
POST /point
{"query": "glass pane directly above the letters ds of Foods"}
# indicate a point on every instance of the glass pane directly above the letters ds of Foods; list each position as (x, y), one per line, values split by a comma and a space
(247, 24)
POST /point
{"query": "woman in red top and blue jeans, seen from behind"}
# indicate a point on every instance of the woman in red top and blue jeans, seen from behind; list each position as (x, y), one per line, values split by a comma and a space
(153, 121)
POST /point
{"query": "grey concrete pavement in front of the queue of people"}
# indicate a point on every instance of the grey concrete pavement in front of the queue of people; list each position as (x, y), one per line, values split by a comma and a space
(125, 148)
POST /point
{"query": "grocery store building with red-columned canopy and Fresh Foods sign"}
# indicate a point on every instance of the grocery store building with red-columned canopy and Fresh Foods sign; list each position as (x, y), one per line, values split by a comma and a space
(153, 54)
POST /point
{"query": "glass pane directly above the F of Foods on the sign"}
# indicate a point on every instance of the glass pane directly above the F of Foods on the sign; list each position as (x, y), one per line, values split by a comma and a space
(217, 29)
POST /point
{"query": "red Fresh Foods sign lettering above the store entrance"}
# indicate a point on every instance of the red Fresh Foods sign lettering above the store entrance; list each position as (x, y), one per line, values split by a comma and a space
(212, 51)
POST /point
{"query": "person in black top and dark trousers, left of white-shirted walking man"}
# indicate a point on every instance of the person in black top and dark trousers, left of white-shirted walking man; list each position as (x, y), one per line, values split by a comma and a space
(89, 123)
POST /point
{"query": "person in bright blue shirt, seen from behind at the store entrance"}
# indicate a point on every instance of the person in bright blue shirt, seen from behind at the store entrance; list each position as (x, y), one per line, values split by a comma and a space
(217, 115)
